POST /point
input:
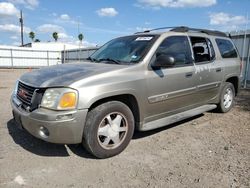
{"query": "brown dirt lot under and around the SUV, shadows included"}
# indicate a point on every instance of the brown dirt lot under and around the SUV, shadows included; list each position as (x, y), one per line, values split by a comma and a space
(210, 150)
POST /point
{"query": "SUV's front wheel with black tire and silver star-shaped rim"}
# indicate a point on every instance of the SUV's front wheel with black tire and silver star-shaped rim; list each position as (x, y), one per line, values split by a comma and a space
(108, 130)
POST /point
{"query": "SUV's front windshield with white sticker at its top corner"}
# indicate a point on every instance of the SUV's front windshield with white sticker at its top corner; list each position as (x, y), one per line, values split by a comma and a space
(129, 49)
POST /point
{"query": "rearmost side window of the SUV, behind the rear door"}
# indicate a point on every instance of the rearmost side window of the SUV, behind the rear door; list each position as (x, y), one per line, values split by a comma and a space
(227, 49)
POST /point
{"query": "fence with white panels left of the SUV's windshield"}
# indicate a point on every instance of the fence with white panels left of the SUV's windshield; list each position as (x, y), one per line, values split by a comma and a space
(28, 58)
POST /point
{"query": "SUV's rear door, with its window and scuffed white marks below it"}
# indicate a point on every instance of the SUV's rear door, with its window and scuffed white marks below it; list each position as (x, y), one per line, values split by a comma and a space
(208, 71)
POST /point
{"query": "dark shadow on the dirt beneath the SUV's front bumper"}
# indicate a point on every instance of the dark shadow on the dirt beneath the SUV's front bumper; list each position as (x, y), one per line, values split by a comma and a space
(40, 147)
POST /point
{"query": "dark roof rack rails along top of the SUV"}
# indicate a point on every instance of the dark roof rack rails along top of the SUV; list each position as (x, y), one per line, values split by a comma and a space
(187, 29)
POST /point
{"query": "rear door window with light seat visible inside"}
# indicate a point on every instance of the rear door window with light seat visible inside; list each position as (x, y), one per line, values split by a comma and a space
(203, 49)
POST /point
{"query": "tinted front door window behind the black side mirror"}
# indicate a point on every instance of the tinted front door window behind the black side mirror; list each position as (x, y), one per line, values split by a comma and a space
(177, 47)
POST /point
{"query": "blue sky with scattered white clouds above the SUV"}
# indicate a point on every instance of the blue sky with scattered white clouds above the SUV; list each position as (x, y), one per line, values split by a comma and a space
(101, 20)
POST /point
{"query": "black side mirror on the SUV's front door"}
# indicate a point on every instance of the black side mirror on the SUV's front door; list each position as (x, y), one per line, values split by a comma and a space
(163, 60)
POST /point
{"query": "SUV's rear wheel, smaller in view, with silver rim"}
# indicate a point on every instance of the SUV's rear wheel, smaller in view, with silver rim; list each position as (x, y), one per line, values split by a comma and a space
(226, 98)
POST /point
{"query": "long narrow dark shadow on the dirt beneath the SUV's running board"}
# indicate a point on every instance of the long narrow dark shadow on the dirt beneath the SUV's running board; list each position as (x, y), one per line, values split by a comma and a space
(140, 134)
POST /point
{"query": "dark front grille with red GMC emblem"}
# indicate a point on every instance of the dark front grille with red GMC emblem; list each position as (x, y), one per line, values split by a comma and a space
(25, 93)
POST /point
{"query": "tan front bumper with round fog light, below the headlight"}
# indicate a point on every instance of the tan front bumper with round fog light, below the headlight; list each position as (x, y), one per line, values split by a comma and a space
(64, 127)
